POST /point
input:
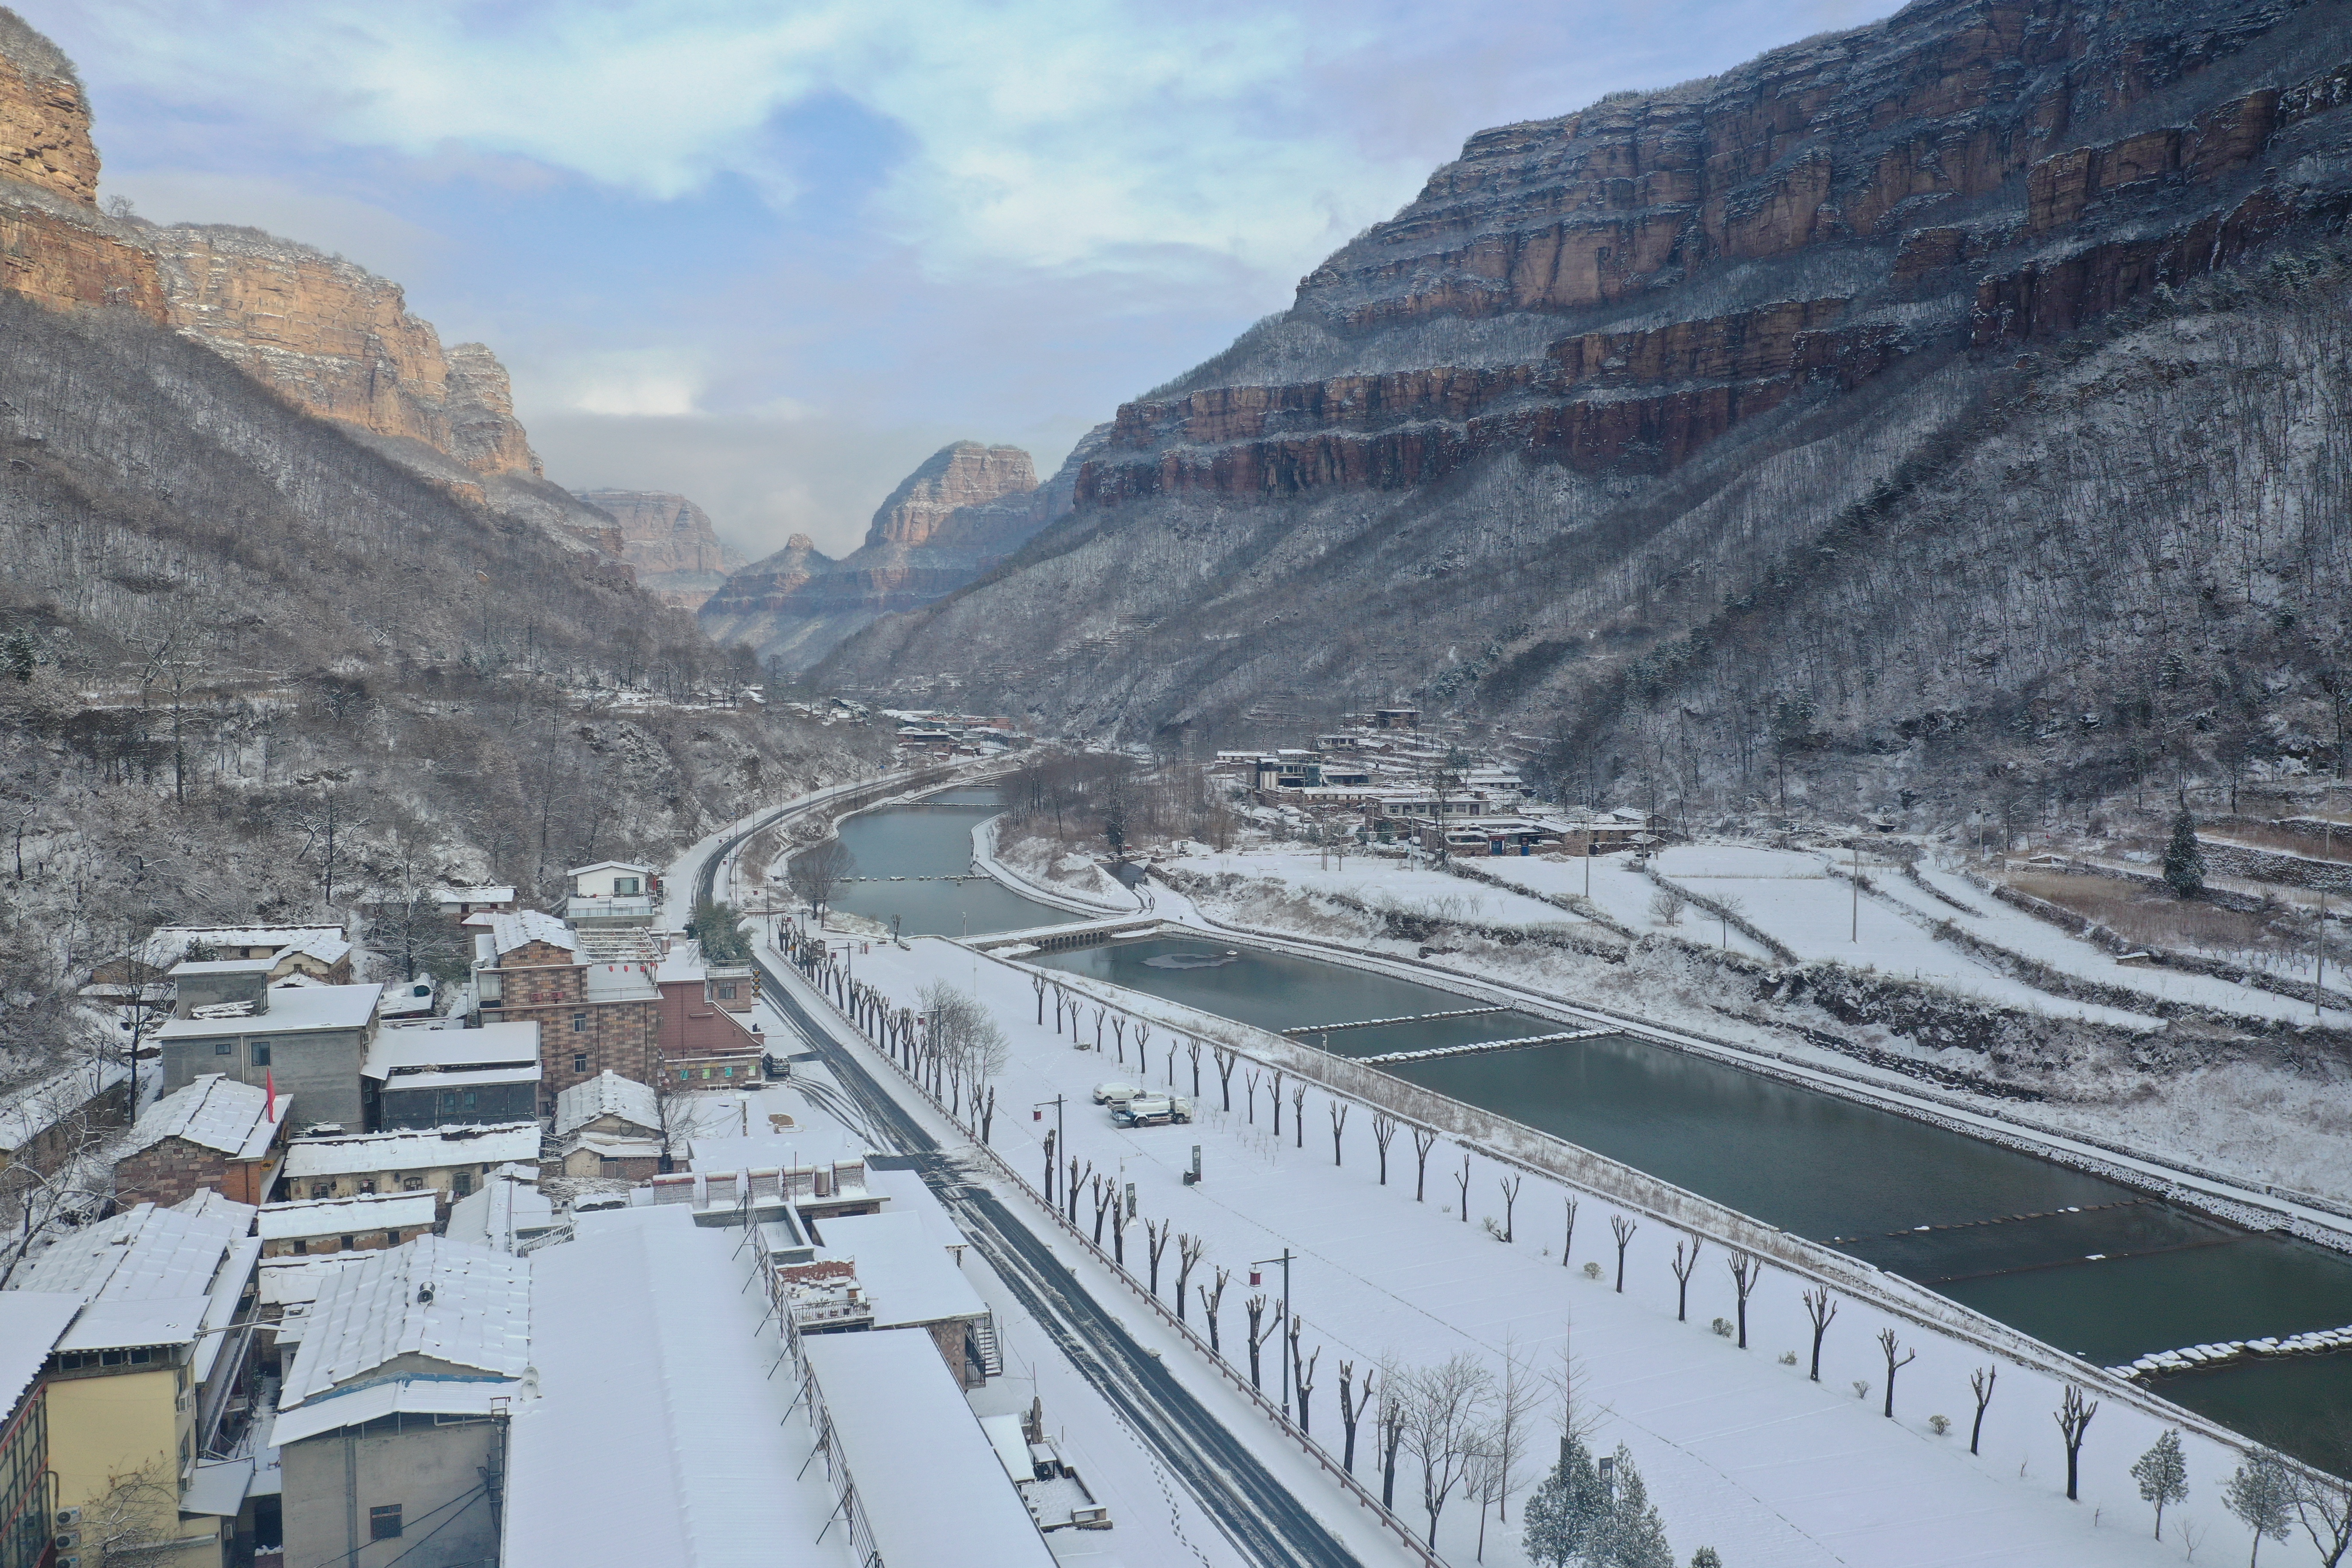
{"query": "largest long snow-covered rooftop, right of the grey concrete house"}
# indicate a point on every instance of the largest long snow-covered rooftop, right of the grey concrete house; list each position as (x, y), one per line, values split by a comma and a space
(646, 1332)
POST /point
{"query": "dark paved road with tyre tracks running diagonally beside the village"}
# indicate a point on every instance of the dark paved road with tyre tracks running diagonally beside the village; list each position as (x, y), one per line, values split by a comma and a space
(1255, 1510)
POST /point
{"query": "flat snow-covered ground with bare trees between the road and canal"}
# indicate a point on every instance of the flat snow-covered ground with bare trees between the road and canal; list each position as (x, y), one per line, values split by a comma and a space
(1742, 1452)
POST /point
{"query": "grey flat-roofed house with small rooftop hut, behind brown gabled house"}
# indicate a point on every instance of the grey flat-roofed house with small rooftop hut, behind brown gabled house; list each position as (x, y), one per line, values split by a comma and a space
(307, 1040)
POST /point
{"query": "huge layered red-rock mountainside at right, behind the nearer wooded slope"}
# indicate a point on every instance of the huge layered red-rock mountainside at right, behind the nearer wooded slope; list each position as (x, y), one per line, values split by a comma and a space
(1615, 370)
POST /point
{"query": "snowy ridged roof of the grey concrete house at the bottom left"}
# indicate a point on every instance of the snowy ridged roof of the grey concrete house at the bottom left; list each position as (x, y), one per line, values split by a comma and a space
(439, 1299)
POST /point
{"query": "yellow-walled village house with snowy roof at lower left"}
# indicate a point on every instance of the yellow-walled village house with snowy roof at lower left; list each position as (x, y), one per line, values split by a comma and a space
(154, 1372)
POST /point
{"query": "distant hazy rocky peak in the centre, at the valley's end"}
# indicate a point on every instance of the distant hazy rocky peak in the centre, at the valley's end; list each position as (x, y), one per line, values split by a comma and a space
(951, 521)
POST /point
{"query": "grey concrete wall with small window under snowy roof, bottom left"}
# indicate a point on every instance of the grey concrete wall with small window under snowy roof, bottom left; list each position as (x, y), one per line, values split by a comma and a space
(432, 1473)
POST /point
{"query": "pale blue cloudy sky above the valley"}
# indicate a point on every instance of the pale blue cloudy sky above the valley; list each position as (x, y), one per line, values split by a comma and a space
(773, 255)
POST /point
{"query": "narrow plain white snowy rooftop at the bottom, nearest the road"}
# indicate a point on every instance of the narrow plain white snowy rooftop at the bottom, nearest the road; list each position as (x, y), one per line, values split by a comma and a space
(890, 1398)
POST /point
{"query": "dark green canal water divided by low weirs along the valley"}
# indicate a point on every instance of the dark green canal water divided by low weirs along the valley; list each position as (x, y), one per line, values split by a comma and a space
(2078, 1261)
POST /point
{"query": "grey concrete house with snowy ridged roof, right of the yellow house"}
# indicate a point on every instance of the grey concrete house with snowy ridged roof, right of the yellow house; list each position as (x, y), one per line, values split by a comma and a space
(396, 1405)
